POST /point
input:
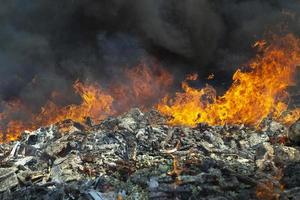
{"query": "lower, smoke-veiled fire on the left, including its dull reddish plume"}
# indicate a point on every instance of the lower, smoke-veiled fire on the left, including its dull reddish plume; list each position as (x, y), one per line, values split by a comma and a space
(140, 86)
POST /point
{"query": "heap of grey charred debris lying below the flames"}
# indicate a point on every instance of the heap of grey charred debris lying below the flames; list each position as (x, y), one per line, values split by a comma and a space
(138, 156)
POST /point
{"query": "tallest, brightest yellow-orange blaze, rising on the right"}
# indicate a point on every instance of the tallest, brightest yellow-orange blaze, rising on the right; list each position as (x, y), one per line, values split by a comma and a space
(253, 96)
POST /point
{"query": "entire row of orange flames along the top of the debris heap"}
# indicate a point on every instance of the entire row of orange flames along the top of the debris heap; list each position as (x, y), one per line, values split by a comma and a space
(255, 94)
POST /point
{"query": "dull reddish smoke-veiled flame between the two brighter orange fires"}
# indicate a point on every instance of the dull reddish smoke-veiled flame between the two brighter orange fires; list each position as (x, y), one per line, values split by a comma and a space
(142, 87)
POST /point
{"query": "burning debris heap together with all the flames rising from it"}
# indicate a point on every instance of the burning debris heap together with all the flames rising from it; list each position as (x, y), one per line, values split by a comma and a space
(197, 145)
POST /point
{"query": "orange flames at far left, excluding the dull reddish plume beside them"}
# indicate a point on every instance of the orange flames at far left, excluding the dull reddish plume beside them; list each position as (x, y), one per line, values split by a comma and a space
(95, 104)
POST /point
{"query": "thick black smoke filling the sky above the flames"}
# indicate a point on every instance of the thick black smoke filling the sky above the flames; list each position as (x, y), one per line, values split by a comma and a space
(46, 45)
